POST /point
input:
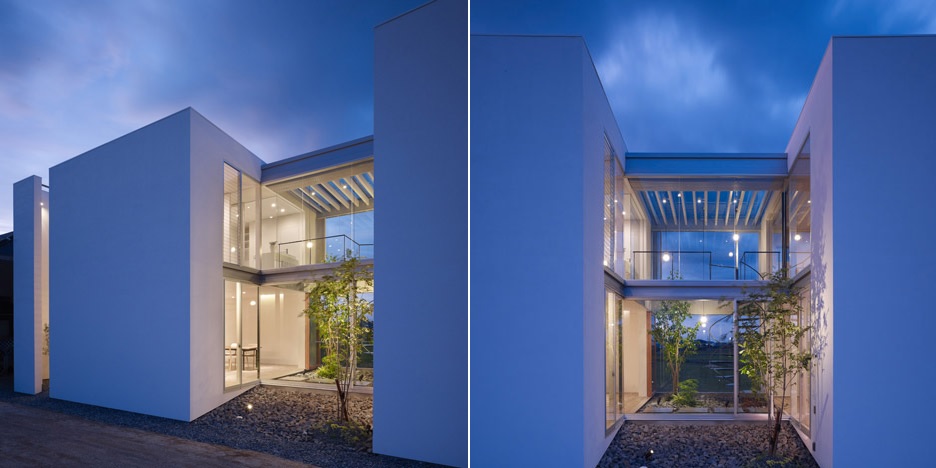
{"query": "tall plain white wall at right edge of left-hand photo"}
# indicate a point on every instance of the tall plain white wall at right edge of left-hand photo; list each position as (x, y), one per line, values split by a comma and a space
(421, 164)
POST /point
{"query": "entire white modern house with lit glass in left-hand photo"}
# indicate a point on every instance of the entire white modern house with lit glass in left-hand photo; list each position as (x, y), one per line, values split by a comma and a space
(170, 263)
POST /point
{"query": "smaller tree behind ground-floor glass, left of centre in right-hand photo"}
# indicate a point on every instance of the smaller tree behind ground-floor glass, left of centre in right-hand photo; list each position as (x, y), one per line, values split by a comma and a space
(678, 340)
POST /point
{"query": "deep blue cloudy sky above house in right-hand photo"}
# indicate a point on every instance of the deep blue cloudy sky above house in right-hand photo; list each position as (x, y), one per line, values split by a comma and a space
(707, 76)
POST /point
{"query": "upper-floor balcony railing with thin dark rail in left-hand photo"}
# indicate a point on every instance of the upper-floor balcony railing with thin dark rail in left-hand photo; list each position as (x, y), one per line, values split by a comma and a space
(318, 250)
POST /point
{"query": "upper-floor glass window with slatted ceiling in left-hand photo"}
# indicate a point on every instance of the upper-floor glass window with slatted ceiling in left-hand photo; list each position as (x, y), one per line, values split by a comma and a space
(319, 217)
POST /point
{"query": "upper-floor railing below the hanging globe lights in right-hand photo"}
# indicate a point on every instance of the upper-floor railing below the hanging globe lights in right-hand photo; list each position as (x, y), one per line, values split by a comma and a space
(702, 265)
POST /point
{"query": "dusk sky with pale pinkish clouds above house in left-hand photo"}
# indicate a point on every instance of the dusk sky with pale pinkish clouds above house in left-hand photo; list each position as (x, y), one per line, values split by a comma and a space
(281, 77)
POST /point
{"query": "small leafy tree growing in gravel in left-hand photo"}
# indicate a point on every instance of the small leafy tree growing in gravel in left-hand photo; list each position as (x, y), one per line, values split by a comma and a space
(341, 316)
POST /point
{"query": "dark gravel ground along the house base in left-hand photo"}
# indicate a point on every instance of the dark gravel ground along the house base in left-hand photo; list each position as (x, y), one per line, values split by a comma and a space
(286, 423)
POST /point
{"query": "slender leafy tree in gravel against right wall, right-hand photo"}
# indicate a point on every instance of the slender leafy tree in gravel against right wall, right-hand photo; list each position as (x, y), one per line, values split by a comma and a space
(769, 341)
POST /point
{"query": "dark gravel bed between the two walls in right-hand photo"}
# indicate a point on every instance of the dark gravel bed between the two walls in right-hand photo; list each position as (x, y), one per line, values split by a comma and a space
(682, 444)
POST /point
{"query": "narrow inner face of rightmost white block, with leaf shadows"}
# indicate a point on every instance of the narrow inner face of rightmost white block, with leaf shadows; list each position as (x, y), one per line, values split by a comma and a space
(815, 121)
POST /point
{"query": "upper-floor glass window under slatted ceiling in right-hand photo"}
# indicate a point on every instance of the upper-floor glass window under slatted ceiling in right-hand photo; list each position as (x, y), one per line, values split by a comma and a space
(707, 228)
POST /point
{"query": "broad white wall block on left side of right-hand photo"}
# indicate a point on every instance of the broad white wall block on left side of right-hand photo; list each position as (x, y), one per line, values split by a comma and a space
(538, 122)
